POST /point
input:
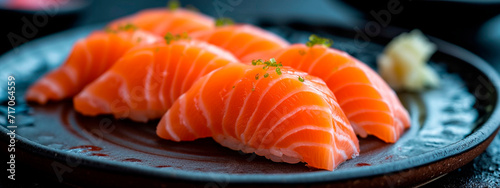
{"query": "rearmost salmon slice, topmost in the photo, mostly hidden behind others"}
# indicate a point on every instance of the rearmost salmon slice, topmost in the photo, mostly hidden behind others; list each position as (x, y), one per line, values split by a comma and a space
(161, 21)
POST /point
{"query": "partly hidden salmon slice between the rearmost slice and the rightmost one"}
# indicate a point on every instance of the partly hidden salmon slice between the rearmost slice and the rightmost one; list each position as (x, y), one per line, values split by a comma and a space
(246, 42)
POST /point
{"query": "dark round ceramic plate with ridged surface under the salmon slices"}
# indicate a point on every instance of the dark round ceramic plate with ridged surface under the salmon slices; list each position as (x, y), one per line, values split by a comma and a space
(451, 125)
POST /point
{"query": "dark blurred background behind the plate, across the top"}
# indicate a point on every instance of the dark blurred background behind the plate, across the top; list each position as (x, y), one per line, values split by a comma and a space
(471, 24)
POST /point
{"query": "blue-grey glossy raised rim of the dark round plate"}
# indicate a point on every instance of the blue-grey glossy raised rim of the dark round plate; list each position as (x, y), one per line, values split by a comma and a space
(472, 140)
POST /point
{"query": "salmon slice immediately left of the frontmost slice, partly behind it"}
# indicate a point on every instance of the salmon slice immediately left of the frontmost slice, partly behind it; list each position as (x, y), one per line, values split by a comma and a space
(145, 82)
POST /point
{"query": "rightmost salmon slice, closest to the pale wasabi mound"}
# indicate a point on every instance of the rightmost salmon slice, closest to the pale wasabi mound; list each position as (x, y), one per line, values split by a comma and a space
(371, 106)
